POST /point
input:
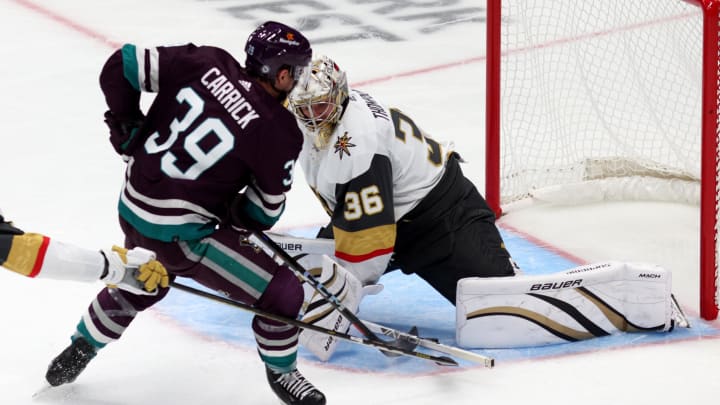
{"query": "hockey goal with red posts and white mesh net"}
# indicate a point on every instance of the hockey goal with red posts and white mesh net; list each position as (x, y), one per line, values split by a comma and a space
(606, 100)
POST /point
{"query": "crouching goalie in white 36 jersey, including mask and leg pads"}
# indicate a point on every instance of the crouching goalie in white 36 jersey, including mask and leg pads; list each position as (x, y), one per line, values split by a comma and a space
(399, 200)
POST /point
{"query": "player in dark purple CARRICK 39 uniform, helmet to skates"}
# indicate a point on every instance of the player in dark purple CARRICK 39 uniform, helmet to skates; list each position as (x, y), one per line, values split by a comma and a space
(213, 157)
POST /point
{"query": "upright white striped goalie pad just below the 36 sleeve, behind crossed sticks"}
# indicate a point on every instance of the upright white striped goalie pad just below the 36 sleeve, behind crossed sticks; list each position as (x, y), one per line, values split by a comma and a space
(320, 312)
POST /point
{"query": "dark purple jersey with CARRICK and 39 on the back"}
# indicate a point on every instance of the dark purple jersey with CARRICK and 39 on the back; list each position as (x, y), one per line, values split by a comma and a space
(210, 132)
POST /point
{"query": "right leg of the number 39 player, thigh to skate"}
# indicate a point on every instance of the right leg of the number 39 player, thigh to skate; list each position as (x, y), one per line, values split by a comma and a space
(249, 275)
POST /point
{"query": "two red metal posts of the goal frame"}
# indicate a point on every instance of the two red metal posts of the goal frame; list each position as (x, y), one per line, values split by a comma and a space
(709, 137)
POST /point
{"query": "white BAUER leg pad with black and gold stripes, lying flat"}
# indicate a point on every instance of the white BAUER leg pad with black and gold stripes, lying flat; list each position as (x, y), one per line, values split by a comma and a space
(580, 303)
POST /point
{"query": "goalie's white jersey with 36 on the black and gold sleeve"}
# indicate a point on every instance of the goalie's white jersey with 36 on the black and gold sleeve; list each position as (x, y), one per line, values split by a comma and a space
(378, 166)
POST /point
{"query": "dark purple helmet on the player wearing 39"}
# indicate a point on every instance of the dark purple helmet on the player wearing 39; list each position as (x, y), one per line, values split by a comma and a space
(273, 46)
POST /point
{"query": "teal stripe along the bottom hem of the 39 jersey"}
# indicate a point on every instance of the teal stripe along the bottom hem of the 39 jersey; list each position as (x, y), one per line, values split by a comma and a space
(166, 233)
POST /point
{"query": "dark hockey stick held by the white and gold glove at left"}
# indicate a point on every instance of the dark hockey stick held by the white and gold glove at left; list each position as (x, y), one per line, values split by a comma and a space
(376, 343)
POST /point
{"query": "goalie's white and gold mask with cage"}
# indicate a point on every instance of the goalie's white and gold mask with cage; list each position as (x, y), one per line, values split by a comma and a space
(318, 99)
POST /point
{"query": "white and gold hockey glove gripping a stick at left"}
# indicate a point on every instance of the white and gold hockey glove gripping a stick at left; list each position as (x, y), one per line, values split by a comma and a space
(135, 271)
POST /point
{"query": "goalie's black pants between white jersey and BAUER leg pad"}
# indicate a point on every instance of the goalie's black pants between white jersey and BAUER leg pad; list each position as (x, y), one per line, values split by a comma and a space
(451, 235)
